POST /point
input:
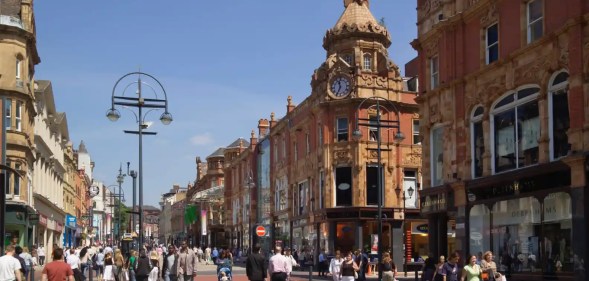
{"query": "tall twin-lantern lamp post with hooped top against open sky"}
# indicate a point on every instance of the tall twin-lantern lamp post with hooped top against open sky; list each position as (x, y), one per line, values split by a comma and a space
(140, 103)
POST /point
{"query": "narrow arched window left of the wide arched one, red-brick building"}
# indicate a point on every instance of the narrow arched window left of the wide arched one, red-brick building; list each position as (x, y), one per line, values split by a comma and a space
(477, 141)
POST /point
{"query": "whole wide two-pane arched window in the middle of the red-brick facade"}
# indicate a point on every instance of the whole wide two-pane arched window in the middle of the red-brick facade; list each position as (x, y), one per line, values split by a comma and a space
(516, 128)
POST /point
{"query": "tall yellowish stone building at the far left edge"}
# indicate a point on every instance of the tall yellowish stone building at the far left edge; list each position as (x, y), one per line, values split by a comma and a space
(18, 57)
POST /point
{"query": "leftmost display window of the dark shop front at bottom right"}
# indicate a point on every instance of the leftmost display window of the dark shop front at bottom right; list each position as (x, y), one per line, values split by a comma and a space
(480, 225)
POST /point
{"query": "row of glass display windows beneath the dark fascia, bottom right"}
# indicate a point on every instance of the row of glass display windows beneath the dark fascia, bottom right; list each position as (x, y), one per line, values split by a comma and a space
(525, 235)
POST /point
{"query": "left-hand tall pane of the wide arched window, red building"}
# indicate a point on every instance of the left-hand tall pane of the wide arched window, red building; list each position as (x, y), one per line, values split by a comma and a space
(505, 141)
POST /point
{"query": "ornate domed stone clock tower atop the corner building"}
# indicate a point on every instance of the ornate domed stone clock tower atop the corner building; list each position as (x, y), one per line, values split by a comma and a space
(357, 64)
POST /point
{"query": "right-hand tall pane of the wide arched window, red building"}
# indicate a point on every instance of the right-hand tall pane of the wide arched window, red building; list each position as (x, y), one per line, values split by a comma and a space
(528, 133)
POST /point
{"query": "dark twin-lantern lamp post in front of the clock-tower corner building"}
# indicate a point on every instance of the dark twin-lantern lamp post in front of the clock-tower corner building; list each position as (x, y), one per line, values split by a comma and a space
(379, 104)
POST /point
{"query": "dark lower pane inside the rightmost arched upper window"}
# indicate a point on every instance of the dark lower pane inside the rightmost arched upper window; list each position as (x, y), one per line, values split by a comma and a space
(560, 124)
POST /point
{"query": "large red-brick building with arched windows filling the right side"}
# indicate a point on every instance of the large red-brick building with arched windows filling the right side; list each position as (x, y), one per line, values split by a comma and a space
(503, 100)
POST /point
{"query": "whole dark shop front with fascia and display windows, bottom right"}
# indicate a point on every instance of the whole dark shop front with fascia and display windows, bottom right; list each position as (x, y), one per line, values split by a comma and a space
(527, 219)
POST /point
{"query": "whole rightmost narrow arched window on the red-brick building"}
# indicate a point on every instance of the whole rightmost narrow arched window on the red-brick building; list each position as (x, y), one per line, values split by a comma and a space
(559, 116)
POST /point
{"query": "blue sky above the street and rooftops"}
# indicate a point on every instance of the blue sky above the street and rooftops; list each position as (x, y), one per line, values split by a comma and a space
(224, 64)
